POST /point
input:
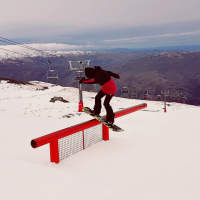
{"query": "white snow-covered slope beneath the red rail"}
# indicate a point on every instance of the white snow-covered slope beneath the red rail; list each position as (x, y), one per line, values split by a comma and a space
(155, 158)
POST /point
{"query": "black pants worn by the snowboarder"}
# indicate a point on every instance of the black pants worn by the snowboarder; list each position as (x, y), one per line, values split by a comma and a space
(97, 107)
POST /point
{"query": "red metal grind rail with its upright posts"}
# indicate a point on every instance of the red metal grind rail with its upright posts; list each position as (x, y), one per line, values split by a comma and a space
(53, 138)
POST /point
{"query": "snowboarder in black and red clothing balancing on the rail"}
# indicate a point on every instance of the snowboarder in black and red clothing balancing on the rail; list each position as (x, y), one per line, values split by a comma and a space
(103, 78)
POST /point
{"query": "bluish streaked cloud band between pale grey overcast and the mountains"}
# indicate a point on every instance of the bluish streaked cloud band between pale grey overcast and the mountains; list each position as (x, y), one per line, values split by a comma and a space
(55, 38)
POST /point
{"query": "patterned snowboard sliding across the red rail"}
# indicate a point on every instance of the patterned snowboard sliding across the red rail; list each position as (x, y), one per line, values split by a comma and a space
(113, 127)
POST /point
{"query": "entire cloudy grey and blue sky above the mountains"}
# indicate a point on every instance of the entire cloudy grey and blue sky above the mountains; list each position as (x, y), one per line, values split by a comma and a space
(91, 24)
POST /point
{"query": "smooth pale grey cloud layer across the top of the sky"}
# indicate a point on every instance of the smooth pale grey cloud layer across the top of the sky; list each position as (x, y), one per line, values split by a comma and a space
(77, 16)
